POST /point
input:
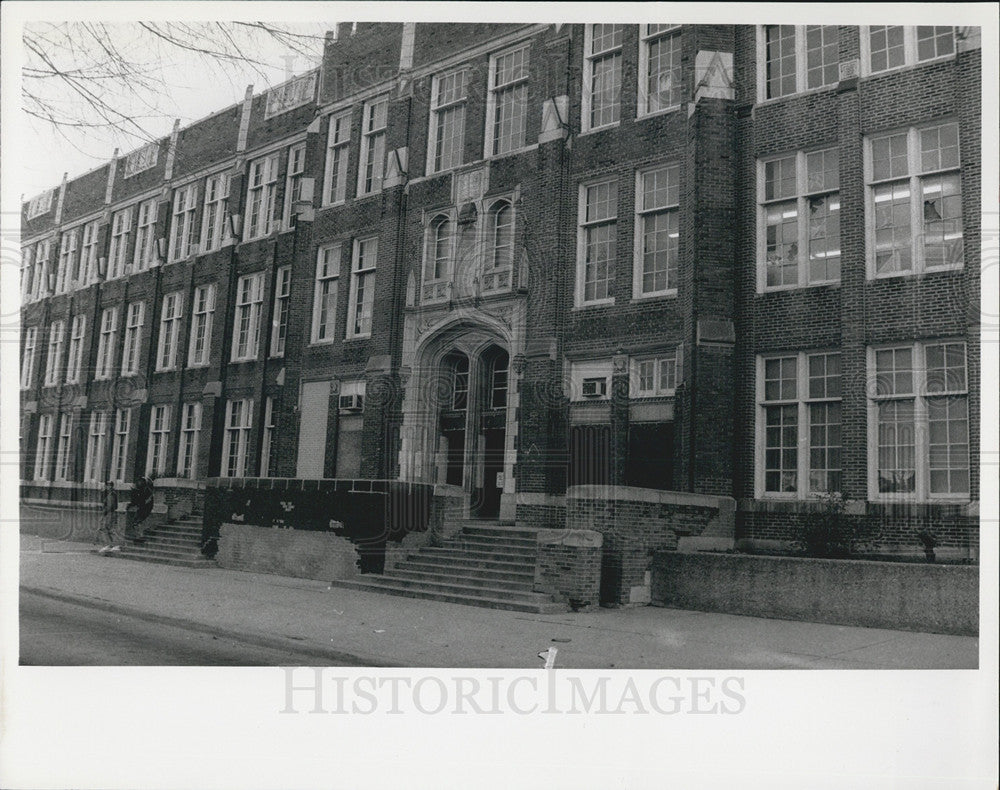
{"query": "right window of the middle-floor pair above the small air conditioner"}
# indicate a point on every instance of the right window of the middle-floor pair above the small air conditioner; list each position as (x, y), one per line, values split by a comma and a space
(656, 231)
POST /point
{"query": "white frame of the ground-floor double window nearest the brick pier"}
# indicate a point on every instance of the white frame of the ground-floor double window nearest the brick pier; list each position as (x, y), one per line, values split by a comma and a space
(802, 401)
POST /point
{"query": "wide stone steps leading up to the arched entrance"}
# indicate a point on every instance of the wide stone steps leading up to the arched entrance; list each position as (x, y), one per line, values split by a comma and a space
(486, 564)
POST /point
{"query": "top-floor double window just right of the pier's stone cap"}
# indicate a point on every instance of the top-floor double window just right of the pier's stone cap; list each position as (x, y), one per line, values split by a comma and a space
(797, 58)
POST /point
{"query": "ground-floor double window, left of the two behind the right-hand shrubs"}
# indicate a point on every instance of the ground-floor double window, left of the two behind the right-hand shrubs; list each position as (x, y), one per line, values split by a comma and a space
(799, 425)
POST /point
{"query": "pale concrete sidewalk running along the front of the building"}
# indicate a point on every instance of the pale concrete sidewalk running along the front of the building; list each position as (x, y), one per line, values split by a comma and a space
(350, 626)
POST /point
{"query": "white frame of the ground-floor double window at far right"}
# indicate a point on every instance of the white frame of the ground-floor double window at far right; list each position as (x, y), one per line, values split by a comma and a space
(921, 393)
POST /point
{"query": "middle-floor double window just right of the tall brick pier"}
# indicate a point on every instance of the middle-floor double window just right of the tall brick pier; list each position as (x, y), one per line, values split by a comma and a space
(799, 230)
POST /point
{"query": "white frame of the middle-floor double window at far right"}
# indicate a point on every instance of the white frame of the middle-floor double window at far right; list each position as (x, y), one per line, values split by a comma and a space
(913, 178)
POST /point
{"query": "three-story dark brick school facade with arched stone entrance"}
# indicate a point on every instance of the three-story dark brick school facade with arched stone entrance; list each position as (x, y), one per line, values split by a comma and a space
(728, 260)
